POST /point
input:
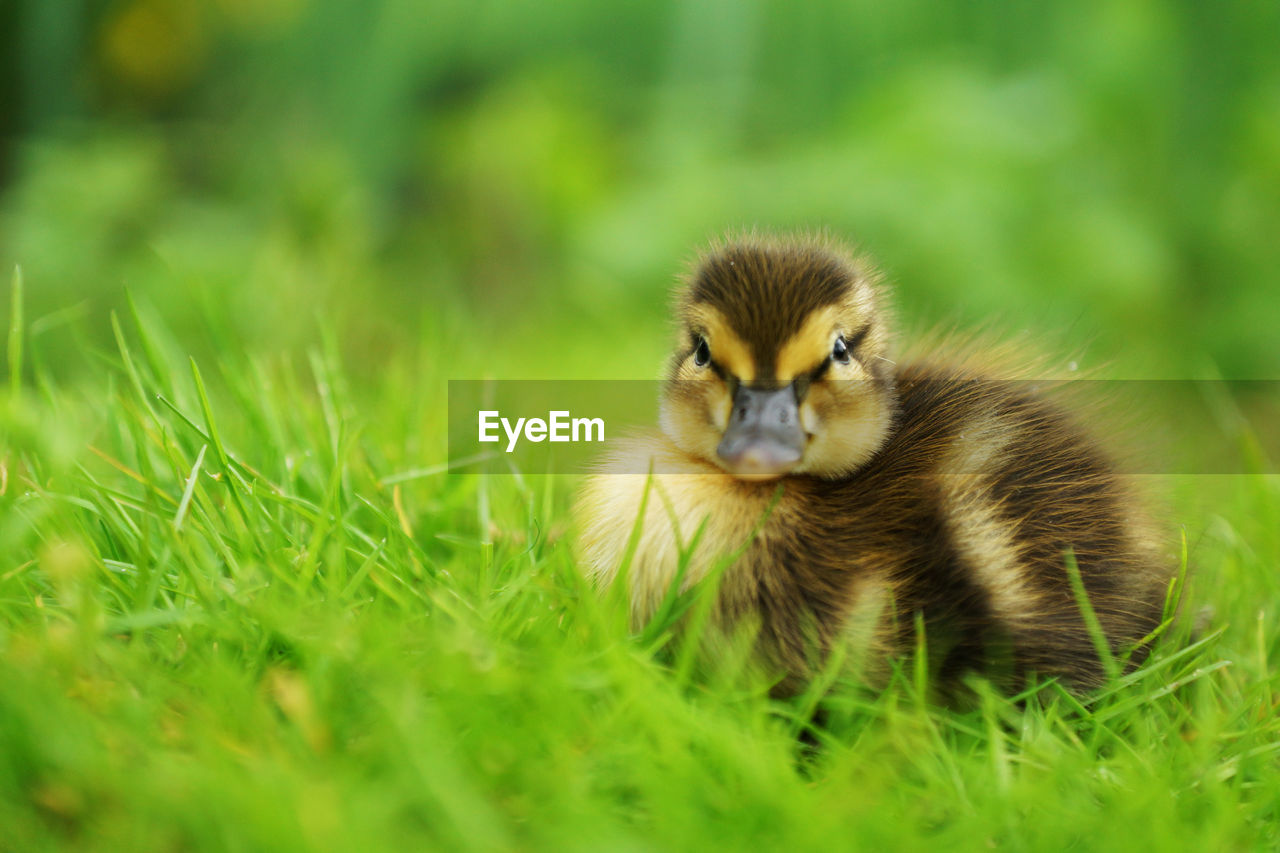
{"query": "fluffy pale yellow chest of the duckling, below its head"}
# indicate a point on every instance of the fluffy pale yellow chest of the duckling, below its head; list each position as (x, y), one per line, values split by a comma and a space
(683, 498)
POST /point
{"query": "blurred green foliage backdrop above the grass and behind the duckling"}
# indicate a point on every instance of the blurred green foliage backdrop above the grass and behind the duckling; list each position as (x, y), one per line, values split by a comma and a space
(516, 185)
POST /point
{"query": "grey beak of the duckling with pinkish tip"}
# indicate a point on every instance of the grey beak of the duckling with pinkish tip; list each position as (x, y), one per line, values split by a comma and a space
(764, 439)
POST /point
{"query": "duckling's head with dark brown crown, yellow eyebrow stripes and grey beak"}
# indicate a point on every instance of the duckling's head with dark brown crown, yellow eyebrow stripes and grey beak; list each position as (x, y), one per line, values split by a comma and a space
(780, 366)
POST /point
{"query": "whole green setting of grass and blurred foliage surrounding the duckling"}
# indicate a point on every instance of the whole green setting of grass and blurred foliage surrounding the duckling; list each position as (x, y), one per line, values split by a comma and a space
(246, 606)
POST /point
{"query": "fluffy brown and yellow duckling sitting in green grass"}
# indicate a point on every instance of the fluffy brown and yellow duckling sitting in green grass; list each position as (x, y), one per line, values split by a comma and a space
(857, 500)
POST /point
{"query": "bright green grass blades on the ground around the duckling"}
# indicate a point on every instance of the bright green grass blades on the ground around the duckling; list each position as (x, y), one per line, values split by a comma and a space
(240, 609)
